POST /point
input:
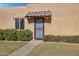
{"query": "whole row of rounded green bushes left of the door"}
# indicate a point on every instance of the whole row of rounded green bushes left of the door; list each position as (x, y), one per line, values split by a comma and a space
(15, 35)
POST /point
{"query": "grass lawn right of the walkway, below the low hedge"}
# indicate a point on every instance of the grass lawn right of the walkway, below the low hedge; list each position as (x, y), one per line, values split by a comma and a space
(55, 49)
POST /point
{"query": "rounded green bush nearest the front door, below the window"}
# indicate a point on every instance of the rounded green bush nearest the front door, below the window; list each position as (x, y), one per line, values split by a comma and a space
(24, 35)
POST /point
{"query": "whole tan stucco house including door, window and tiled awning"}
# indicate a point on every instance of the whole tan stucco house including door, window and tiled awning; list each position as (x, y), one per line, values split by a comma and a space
(42, 19)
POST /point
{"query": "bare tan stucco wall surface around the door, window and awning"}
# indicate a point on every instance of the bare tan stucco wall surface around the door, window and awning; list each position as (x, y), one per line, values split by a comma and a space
(64, 21)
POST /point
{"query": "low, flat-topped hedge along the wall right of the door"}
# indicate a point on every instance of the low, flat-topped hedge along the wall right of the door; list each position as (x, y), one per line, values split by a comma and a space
(53, 38)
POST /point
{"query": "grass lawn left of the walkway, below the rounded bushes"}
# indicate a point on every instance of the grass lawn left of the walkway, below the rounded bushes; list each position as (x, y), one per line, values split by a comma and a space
(8, 47)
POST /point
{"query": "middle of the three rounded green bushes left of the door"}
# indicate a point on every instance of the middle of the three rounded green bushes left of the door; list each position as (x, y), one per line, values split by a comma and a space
(10, 35)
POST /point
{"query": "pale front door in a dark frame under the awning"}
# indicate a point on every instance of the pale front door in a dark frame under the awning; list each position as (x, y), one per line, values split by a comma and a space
(39, 28)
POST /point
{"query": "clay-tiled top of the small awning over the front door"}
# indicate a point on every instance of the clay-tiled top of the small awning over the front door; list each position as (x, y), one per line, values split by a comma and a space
(39, 13)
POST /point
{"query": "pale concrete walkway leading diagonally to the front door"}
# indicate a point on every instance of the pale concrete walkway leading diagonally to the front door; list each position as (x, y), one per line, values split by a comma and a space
(26, 49)
